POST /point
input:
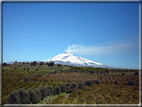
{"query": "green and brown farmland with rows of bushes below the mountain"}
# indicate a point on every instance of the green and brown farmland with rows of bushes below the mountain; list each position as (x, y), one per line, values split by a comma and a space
(49, 83)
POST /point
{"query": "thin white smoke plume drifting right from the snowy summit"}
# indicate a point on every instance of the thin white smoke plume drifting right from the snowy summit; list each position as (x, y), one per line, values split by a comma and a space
(117, 48)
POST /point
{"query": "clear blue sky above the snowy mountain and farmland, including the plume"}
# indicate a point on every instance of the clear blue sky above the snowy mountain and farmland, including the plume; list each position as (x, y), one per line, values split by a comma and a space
(107, 33)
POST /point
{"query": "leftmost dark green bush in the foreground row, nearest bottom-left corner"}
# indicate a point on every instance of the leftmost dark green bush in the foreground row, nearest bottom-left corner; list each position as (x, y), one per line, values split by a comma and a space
(13, 98)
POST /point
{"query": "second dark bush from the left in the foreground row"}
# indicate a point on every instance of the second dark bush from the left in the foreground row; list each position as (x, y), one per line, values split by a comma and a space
(24, 96)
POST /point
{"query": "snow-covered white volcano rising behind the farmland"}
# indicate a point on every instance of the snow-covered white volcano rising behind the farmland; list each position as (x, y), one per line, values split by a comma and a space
(71, 59)
